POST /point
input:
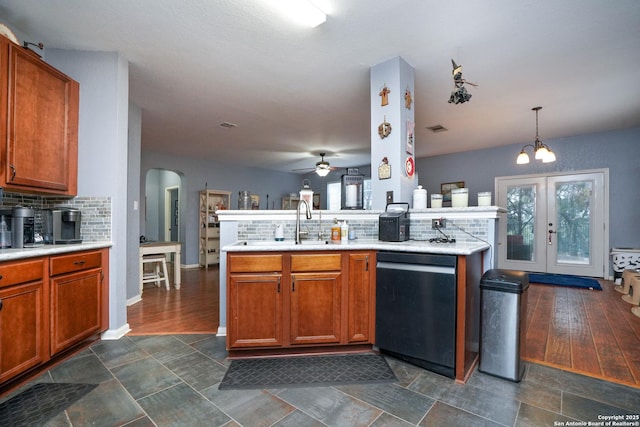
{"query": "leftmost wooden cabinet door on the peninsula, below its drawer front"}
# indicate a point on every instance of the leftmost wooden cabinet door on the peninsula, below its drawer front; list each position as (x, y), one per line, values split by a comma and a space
(254, 315)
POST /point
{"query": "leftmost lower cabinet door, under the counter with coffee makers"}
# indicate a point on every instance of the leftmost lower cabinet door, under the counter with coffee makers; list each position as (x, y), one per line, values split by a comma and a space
(23, 337)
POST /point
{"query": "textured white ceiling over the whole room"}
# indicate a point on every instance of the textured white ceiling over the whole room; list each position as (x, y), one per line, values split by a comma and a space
(296, 91)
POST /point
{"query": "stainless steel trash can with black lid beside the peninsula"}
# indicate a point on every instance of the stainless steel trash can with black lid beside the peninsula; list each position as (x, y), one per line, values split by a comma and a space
(503, 310)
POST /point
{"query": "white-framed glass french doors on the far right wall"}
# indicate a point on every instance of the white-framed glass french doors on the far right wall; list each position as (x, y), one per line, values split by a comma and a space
(554, 223)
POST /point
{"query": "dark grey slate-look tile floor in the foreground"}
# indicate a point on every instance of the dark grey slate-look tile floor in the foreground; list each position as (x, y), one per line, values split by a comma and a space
(172, 380)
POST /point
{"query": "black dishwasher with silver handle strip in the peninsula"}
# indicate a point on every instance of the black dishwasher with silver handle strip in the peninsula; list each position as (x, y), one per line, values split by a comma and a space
(416, 309)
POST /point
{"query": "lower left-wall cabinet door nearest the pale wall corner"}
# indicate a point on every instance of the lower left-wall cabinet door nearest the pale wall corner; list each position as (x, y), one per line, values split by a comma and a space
(76, 307)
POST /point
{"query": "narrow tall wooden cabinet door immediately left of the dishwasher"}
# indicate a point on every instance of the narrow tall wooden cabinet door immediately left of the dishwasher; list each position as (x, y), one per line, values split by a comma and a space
(361, 298)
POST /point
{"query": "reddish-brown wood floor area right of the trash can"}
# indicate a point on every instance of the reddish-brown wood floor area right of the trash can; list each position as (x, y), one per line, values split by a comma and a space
(589, 332)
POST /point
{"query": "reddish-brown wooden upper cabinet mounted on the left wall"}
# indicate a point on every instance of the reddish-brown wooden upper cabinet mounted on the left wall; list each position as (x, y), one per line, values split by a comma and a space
(39, 124)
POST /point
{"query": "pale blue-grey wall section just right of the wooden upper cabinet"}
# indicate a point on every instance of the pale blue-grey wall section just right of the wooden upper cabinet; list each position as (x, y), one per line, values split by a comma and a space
(102, 153)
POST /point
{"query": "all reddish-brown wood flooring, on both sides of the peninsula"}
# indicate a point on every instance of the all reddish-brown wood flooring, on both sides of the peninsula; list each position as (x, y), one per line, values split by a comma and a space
(589, 332)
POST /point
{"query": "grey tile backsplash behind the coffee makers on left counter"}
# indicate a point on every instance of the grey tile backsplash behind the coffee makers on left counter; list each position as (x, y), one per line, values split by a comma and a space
(96, 212)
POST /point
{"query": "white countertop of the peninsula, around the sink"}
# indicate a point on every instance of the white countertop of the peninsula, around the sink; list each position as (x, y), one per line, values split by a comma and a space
(458, 248)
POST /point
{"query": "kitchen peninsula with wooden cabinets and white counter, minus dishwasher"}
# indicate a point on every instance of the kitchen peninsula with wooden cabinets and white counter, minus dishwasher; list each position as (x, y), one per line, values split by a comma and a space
(283, 297)
